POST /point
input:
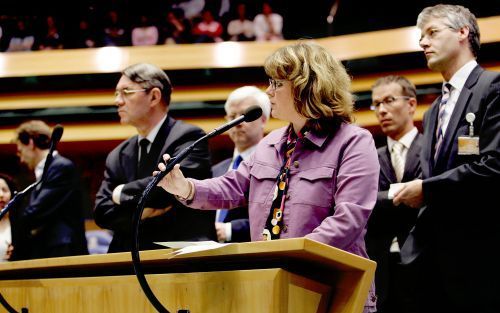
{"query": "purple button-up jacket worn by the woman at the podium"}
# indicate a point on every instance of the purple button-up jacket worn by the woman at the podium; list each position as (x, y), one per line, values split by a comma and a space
(332, 188)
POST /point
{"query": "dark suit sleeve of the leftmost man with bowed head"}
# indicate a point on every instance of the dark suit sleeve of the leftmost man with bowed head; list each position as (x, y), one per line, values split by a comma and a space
(54, 194)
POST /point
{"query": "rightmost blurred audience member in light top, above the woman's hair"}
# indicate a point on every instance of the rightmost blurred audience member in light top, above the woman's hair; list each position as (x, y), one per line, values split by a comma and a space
(268, 25)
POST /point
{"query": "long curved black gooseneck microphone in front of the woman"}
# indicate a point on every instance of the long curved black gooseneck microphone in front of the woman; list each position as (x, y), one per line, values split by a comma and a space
(250, 115)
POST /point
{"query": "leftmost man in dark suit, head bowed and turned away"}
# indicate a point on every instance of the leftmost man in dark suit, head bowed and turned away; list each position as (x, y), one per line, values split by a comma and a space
(53, 221)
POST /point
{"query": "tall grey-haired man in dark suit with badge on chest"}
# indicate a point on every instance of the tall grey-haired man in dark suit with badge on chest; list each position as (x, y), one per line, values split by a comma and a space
(452, 245)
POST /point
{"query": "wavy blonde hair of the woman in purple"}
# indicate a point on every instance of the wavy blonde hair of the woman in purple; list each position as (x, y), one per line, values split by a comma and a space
(320, 84)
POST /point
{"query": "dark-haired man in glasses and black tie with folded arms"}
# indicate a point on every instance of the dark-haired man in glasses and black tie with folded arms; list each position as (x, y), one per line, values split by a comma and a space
(143, 97)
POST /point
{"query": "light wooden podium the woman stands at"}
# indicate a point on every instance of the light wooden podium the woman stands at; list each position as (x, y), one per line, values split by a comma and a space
(290, 275)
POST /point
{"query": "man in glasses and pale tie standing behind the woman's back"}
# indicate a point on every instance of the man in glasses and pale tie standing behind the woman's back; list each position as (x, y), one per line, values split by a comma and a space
(394, 103)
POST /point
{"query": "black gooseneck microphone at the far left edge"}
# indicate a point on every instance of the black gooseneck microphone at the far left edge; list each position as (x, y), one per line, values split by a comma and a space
(55, 137)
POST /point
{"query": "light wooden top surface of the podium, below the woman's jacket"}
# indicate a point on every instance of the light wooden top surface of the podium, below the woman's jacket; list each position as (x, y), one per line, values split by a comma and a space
(241, 255)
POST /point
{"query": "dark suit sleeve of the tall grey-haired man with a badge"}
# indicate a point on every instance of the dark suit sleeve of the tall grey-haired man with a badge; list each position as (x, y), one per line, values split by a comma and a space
(482, 172)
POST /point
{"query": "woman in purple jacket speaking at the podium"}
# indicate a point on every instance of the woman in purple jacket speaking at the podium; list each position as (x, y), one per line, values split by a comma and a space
(315, 178)
